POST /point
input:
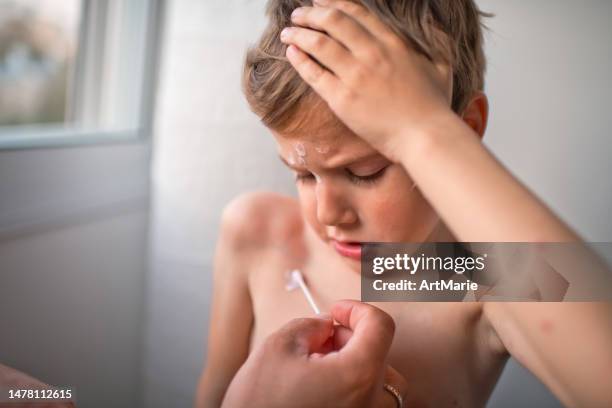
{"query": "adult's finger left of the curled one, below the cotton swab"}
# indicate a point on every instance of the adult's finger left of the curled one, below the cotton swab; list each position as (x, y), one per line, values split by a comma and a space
(302, 336)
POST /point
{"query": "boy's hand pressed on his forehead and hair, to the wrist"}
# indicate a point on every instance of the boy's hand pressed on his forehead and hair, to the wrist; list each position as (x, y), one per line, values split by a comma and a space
(380, 88)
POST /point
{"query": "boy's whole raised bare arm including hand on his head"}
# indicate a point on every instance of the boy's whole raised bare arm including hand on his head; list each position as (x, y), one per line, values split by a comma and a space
(398, 101)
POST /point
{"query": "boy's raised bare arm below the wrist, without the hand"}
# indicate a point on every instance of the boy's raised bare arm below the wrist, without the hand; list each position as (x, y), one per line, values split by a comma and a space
(568, 346)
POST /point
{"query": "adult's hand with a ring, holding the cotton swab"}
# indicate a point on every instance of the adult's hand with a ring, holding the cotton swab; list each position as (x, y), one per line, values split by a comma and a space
(312, 363)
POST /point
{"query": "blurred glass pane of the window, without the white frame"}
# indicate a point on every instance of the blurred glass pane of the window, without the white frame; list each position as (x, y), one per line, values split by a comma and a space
(38, 45)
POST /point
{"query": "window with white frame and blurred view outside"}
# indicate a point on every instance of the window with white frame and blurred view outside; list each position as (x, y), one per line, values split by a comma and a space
(75, 71)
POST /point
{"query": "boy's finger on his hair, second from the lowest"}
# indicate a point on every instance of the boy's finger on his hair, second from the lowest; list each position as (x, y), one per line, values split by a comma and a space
(321, 47)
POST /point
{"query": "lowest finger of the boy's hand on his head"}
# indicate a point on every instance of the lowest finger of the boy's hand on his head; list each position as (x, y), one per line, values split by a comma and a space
(321, 80)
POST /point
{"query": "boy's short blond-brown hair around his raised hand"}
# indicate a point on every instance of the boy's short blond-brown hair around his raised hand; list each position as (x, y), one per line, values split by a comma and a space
(450, 30)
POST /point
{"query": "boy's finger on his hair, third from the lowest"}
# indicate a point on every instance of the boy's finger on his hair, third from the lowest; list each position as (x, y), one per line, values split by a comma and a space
(337, 24)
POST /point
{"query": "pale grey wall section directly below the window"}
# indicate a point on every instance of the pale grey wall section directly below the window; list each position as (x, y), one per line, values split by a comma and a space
(73, 243)
